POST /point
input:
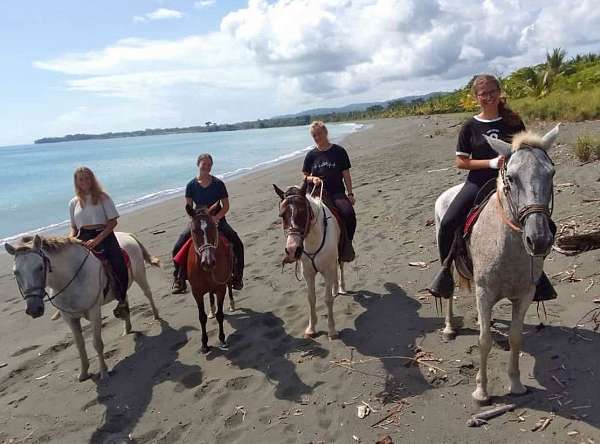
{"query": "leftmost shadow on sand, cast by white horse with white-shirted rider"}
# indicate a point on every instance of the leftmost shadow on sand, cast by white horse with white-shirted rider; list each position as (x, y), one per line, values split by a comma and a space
(128, 392)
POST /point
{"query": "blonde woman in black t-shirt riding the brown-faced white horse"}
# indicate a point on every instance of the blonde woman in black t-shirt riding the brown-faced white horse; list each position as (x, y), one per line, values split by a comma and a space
(329, 164)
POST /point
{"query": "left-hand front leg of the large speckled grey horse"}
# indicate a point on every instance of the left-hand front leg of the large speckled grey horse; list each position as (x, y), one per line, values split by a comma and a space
(484, 309)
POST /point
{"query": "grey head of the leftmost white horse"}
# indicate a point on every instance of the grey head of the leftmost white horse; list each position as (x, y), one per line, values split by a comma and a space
(30, 270)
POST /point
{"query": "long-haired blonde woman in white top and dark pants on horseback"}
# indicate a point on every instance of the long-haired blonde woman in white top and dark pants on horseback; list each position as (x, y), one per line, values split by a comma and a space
(93, 220)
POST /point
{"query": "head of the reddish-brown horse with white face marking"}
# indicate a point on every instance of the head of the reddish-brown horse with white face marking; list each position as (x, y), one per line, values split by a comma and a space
(205, 236)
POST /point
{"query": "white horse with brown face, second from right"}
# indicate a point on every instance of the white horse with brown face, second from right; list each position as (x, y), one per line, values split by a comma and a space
(312, 236)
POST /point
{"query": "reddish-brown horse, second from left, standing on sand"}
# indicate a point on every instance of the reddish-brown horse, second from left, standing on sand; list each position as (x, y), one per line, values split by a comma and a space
(209, 267)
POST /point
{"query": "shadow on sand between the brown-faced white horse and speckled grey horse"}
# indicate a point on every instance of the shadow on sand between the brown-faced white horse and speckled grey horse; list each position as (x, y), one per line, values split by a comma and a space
(391, 326)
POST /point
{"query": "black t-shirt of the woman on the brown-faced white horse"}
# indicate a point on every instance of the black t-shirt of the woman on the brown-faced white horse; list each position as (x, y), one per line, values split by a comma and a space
(328, 165)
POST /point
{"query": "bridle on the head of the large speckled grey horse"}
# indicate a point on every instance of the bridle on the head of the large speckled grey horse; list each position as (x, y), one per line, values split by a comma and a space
(517, 217)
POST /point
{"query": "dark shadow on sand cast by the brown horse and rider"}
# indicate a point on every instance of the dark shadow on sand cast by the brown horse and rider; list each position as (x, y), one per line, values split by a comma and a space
(260, 342)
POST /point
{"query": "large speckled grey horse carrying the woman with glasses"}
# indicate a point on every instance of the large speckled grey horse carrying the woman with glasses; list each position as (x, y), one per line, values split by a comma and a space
(508, 245)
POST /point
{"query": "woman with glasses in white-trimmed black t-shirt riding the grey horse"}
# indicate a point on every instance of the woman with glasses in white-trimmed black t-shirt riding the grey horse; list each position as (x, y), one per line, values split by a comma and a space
(474, 154)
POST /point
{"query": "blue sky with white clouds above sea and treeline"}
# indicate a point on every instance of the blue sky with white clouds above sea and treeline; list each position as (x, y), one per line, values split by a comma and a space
(88, 67)
